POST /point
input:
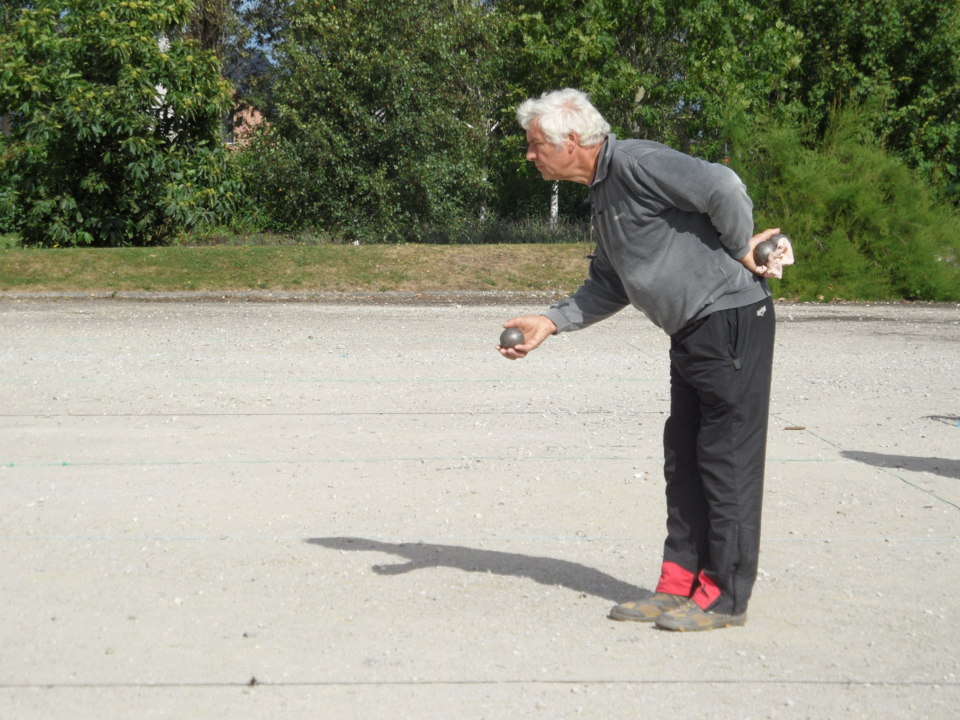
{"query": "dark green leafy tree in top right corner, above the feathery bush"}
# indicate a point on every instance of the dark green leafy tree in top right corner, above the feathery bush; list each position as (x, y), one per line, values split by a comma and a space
(899, 54)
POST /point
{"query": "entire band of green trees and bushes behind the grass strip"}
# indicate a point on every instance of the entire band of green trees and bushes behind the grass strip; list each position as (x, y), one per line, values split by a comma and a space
(394, 121)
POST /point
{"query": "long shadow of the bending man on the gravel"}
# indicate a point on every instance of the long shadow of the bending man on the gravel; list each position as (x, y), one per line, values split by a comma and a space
(546, 571)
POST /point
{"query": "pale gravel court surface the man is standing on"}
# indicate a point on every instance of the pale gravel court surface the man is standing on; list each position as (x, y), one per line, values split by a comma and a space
(320, 510)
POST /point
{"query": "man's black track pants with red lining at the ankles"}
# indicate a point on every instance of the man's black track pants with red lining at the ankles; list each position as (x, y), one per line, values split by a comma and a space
(715, 449)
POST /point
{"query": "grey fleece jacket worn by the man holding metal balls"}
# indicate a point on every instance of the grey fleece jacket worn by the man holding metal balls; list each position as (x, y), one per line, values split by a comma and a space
(670, 230)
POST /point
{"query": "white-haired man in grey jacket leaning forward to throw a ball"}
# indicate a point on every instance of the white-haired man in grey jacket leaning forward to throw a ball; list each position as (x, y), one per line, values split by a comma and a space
(675, 240)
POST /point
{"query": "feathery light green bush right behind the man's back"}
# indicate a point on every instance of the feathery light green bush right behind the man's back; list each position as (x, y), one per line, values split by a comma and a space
(865, 226)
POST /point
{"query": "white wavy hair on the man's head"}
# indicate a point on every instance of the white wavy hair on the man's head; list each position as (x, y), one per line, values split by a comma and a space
(562, 112)
